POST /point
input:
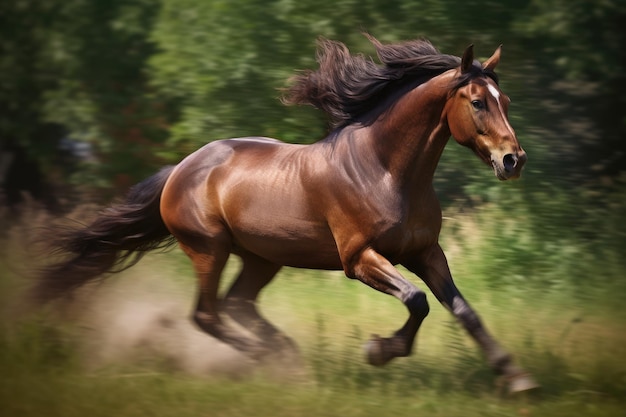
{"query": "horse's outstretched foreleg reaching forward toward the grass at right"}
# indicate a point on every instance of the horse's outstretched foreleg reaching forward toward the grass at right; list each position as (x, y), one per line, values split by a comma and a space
(433, 268)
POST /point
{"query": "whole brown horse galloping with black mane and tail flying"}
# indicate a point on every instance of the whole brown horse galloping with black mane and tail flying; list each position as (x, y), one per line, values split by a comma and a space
(360, 200)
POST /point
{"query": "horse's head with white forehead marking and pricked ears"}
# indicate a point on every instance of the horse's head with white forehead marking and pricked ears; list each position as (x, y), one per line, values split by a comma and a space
(477, 117)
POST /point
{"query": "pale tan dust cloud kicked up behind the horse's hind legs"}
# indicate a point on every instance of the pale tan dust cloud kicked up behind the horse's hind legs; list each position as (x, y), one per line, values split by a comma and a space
(142, 318)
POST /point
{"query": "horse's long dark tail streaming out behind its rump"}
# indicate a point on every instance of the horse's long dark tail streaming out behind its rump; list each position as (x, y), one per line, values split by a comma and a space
(116, 240)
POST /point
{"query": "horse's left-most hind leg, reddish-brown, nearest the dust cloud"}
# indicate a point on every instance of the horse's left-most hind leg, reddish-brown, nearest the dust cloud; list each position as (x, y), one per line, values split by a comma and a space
(209, 256)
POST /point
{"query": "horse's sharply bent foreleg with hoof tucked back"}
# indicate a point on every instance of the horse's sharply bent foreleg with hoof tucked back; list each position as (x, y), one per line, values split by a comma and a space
(374, 270)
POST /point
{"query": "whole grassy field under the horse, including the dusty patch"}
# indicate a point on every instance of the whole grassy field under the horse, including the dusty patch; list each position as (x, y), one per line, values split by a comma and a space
(127, 348)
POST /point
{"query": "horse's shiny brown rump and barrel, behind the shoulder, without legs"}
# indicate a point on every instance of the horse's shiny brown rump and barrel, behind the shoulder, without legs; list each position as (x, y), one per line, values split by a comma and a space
(274, 213)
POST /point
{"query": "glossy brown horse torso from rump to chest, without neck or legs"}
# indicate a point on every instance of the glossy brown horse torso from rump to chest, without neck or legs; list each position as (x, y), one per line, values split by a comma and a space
(278, 204)
